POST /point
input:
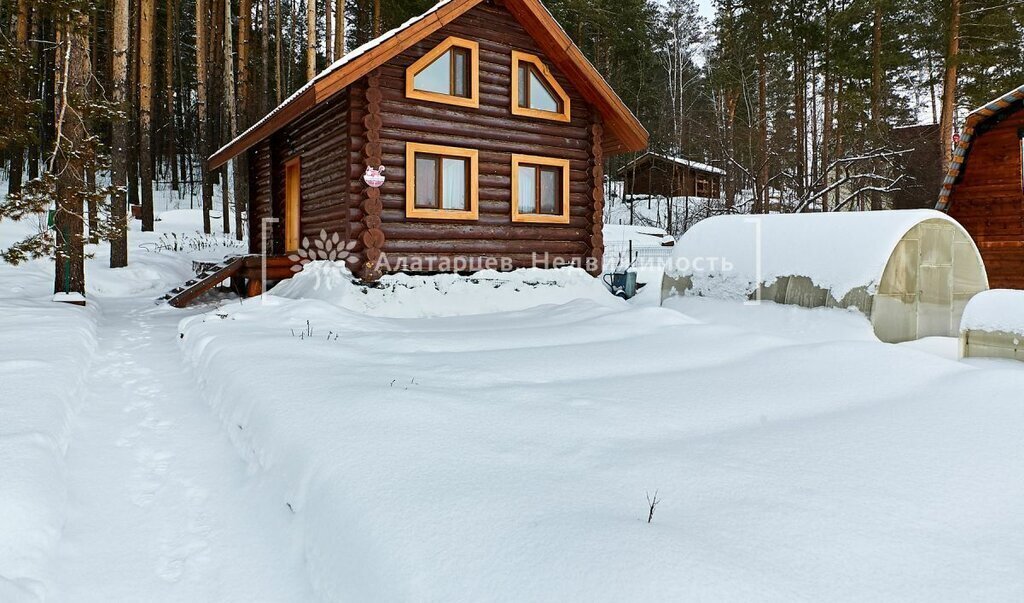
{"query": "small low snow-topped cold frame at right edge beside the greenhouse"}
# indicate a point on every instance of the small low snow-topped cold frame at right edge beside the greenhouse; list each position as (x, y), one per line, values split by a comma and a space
(994, 326)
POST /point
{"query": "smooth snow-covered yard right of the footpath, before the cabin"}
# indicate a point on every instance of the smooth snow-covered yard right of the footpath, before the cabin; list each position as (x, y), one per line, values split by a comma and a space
(508, 456)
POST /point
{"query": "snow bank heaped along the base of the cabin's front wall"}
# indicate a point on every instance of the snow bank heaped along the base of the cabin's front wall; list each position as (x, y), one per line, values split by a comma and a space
(408, 296)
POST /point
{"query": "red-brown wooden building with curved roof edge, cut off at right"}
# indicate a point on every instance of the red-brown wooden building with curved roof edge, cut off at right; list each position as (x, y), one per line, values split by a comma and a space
(985, 187)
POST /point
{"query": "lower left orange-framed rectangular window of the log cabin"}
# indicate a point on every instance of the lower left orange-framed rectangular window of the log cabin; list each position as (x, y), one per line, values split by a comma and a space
(441, 183)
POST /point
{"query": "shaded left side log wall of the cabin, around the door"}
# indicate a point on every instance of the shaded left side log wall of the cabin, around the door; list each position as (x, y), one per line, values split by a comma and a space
(321, 140)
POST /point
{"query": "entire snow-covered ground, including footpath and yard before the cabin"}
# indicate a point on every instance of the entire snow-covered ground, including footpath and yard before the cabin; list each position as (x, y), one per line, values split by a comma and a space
(489, 440)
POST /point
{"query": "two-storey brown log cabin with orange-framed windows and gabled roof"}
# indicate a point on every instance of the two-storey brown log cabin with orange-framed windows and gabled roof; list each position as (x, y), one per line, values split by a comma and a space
(488, 124)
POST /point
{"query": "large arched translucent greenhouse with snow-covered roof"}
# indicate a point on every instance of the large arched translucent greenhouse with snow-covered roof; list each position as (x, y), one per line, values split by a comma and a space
(912, 273)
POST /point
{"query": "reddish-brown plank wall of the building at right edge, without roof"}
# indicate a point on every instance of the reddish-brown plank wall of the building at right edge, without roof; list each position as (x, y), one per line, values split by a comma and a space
(990, 202)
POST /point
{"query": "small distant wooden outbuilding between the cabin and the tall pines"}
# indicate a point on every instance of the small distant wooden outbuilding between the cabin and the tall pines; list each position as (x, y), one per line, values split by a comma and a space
(664, 176)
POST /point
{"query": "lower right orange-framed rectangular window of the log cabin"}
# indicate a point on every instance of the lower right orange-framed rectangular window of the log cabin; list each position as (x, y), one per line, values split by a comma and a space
(541, 186)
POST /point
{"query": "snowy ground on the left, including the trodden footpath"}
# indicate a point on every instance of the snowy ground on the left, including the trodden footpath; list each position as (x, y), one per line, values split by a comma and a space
(117, 484)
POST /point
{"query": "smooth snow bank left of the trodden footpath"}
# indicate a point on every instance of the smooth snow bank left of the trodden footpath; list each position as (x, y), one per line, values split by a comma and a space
(47, 351)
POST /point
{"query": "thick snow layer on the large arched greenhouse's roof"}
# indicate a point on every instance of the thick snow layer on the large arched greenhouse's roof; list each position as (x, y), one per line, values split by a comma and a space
(730, 255)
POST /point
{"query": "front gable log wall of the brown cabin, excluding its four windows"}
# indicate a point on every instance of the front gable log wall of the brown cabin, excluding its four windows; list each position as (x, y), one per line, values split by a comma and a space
(494, 132)
